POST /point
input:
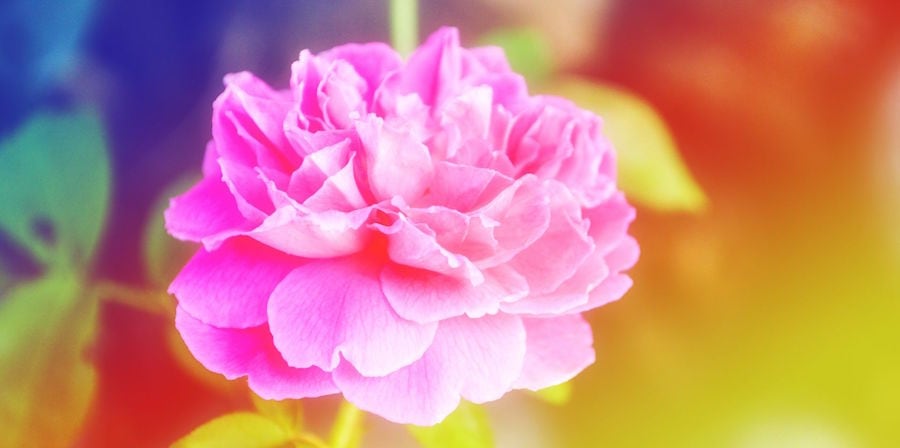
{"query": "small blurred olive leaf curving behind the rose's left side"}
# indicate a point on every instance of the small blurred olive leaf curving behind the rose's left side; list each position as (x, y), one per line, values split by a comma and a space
(164, 256)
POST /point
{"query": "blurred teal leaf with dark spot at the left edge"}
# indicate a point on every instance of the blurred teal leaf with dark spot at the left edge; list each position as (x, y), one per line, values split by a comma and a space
(55, 189)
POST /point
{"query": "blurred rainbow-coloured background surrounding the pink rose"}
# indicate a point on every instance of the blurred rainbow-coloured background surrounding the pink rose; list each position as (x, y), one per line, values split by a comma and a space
(768, 317)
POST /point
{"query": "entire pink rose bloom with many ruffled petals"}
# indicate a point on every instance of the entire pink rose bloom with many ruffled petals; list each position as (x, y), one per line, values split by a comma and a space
(406, 234)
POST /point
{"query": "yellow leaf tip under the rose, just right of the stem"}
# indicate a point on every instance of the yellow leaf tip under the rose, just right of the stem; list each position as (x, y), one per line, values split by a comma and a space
(466, 427)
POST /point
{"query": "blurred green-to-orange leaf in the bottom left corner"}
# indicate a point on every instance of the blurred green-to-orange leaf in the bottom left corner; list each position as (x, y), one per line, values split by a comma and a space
(46, 328)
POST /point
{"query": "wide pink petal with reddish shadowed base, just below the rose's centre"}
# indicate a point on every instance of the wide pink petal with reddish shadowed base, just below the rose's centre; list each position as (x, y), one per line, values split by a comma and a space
(424, 296)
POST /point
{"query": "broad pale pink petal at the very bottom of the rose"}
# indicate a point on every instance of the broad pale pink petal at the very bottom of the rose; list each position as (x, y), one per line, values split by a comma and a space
(476, 358)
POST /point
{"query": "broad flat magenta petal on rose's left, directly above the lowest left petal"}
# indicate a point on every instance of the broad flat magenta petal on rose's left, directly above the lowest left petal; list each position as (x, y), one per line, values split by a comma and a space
(230, 286)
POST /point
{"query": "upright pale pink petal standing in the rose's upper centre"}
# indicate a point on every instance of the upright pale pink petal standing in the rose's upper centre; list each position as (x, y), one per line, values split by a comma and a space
(397, 164)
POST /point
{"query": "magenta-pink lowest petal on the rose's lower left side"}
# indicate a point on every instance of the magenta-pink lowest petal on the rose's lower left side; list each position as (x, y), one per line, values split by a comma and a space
(249, 352)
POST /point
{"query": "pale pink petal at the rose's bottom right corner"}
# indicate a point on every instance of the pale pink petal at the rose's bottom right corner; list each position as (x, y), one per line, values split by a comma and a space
(558, 348)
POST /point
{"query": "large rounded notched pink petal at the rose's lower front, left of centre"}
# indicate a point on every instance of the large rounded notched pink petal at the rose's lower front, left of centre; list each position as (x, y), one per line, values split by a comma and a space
(332, 308)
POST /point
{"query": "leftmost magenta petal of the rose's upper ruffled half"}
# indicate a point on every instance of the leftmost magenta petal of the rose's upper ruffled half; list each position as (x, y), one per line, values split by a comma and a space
(207, 209)
